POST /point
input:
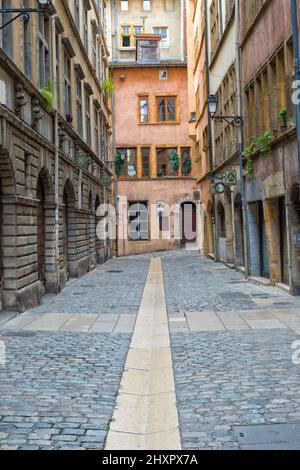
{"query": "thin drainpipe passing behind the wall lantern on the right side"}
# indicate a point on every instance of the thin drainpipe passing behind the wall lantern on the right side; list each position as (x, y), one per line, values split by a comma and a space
(209, 126)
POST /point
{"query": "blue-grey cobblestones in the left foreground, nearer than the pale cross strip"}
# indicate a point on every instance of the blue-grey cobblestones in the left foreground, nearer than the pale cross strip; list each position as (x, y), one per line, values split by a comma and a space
(58, 390)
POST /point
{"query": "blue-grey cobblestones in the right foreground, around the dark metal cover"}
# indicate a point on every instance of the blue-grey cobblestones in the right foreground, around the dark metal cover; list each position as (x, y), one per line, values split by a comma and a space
(227, 379)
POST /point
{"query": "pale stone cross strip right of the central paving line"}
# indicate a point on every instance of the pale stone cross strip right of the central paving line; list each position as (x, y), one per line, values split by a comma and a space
(236, 320)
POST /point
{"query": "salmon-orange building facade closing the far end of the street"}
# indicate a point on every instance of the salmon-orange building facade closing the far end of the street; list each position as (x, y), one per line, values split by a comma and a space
(149, 67)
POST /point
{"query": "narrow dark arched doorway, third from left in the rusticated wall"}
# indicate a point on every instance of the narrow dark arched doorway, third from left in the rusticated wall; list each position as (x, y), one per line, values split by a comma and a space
(68, 226)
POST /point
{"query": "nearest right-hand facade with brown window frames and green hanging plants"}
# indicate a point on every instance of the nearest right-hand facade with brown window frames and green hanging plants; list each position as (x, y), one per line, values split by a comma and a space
(271, 146)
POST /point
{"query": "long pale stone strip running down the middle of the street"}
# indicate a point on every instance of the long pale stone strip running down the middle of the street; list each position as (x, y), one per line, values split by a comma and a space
(146, 416)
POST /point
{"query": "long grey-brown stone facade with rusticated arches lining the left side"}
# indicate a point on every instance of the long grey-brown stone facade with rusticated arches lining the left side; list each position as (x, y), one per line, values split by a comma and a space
(54, 146)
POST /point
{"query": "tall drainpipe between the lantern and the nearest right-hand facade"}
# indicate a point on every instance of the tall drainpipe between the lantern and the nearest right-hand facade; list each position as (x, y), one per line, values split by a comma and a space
(241, 140)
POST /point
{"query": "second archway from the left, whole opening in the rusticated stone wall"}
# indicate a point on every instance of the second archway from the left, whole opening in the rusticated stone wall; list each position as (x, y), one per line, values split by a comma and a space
(46, 231)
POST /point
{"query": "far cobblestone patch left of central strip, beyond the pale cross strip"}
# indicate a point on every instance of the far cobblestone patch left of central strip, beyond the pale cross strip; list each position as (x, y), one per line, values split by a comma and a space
(113, 288)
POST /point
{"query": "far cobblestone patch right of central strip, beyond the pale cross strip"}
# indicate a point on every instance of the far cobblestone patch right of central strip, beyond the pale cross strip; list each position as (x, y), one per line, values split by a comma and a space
(194, 283)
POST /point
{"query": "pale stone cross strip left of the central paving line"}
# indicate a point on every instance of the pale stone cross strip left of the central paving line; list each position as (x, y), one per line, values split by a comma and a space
(88, 323)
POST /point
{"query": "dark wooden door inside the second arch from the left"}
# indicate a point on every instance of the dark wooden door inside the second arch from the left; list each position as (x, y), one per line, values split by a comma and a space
(41, 232)
